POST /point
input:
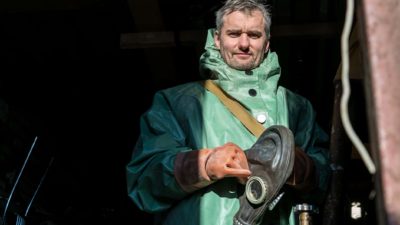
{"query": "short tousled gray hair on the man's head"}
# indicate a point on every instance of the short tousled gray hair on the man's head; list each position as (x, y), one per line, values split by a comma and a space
(246, 6)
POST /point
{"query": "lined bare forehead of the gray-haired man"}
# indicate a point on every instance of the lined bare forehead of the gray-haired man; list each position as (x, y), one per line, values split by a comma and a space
(248, 20)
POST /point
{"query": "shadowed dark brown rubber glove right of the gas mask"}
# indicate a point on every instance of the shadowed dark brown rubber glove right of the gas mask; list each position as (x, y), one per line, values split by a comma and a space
(303, 177)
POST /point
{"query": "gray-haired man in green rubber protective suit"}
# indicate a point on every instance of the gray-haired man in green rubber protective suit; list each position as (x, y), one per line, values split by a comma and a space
(189, 161)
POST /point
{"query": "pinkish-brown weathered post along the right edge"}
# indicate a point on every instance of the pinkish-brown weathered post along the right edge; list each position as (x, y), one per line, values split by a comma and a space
(381, 45)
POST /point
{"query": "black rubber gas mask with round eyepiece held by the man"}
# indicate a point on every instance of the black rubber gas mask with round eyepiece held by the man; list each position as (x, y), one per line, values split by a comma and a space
(271, 161)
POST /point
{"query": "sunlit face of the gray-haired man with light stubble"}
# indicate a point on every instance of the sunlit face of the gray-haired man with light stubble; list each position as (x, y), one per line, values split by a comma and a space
(242, 40)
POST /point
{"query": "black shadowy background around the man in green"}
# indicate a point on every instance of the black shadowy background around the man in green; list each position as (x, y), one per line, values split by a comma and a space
(65, 79)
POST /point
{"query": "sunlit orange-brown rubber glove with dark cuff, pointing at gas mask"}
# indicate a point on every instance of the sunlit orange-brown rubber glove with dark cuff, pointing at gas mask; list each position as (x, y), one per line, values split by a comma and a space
(197, 169)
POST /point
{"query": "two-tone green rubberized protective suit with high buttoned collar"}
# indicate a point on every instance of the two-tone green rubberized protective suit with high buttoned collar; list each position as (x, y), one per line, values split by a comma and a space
(188, 117)
